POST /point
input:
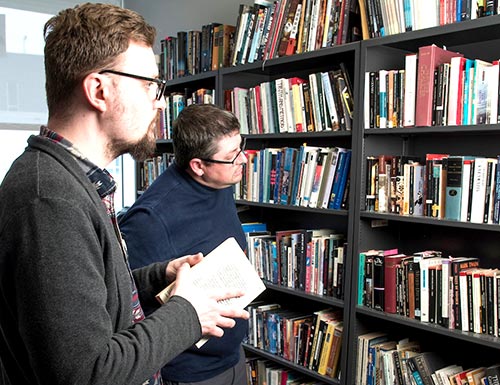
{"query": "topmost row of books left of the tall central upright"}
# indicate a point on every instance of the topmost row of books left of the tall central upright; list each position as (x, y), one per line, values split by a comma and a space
(263, 30)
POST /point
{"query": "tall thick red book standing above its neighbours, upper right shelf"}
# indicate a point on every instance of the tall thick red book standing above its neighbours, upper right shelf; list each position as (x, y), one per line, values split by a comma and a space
(429, 58)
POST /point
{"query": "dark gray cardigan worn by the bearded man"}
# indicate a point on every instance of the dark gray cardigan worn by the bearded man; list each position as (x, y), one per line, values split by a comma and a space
(65, 291)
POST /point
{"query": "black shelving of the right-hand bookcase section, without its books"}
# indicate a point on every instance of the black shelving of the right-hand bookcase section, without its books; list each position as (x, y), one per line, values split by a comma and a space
(374, 230)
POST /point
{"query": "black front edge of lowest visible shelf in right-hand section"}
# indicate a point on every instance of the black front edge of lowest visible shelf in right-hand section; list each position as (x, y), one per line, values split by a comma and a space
(478, 339)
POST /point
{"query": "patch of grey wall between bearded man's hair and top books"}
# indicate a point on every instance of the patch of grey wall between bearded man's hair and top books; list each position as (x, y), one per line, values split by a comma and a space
(171, 16)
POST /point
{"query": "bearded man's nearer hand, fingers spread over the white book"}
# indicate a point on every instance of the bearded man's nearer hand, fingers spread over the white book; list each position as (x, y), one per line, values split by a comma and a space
(213, 316)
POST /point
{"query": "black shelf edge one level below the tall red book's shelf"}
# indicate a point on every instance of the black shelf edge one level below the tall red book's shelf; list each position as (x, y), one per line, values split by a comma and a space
(430, 221)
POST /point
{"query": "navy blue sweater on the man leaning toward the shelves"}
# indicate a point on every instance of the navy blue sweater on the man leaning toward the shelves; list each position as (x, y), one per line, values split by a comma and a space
(177, 216)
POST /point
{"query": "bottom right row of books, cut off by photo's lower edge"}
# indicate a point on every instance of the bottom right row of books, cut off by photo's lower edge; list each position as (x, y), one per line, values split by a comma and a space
(383, 360)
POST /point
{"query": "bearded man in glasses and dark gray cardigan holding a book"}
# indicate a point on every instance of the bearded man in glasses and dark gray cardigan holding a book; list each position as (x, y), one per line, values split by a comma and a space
(71, 306)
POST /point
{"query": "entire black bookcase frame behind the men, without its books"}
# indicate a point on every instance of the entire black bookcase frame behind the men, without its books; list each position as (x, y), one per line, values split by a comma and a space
(372, 230)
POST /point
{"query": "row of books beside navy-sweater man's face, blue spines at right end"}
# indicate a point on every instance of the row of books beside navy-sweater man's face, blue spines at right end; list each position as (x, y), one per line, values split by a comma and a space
(310, 176)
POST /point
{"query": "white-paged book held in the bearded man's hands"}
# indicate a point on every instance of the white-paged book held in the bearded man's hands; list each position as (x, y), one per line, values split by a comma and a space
(224, 267)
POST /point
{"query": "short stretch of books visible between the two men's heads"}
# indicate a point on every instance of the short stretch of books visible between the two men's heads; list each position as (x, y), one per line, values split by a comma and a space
(175, 102)
